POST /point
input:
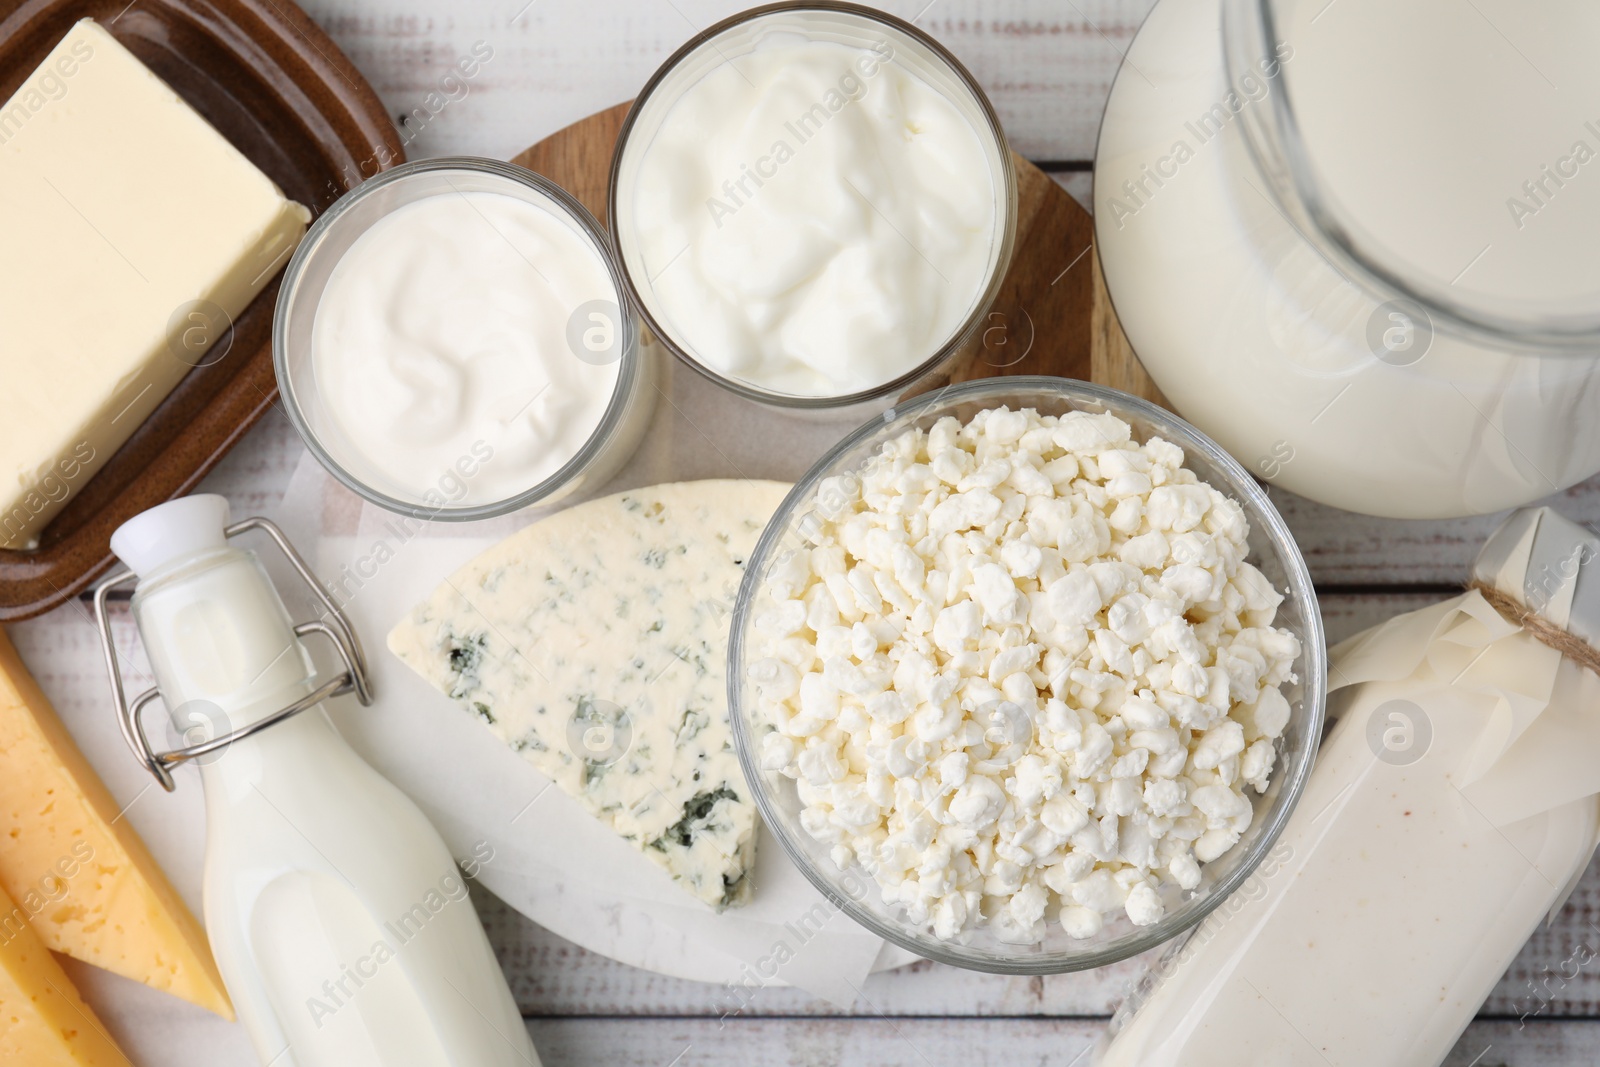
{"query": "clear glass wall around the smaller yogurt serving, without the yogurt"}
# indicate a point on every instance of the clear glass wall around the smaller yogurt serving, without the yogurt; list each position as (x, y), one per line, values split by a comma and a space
(306, 279)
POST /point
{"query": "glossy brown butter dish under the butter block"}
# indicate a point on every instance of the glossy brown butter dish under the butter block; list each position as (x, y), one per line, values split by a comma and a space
(274, 86)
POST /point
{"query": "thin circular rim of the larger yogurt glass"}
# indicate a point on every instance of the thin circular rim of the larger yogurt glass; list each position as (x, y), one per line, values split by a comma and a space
(1006, 199)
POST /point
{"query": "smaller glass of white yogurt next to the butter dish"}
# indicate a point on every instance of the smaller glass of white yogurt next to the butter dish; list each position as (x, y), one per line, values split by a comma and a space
(452, 342)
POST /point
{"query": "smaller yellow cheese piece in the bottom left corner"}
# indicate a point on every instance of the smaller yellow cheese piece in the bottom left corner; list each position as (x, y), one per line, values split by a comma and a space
(44, 1023)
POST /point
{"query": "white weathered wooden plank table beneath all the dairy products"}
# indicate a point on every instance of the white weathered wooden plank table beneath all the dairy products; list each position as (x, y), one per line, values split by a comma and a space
(1047, 65)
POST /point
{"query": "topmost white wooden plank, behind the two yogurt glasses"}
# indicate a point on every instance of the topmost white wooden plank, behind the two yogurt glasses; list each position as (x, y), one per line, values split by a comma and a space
(1047, 65)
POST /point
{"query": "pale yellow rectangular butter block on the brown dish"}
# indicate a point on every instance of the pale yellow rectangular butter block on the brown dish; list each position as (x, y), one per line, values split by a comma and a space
(134, 236)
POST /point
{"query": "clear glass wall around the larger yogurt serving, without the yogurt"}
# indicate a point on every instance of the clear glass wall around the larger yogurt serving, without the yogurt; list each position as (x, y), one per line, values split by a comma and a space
(818, 22)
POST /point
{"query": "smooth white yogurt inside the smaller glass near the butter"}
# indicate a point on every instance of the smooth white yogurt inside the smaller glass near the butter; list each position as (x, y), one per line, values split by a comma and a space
(444, 348)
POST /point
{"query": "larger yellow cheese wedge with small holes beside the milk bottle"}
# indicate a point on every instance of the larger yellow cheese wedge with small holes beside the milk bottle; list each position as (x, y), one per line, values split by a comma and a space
(76, 869)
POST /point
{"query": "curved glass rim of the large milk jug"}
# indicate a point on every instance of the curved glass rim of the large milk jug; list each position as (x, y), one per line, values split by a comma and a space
(1278, 148)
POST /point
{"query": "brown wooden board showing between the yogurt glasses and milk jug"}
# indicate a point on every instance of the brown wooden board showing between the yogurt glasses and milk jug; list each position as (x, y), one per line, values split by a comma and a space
(1054, 316)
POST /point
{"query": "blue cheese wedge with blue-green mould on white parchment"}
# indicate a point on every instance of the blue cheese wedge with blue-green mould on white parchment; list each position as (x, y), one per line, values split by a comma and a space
(594, 644)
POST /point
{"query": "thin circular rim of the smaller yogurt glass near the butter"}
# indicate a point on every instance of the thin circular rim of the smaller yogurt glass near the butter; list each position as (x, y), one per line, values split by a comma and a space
(628, 362)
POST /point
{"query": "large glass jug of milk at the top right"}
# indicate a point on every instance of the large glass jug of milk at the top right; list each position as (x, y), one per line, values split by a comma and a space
(1354, 242)
